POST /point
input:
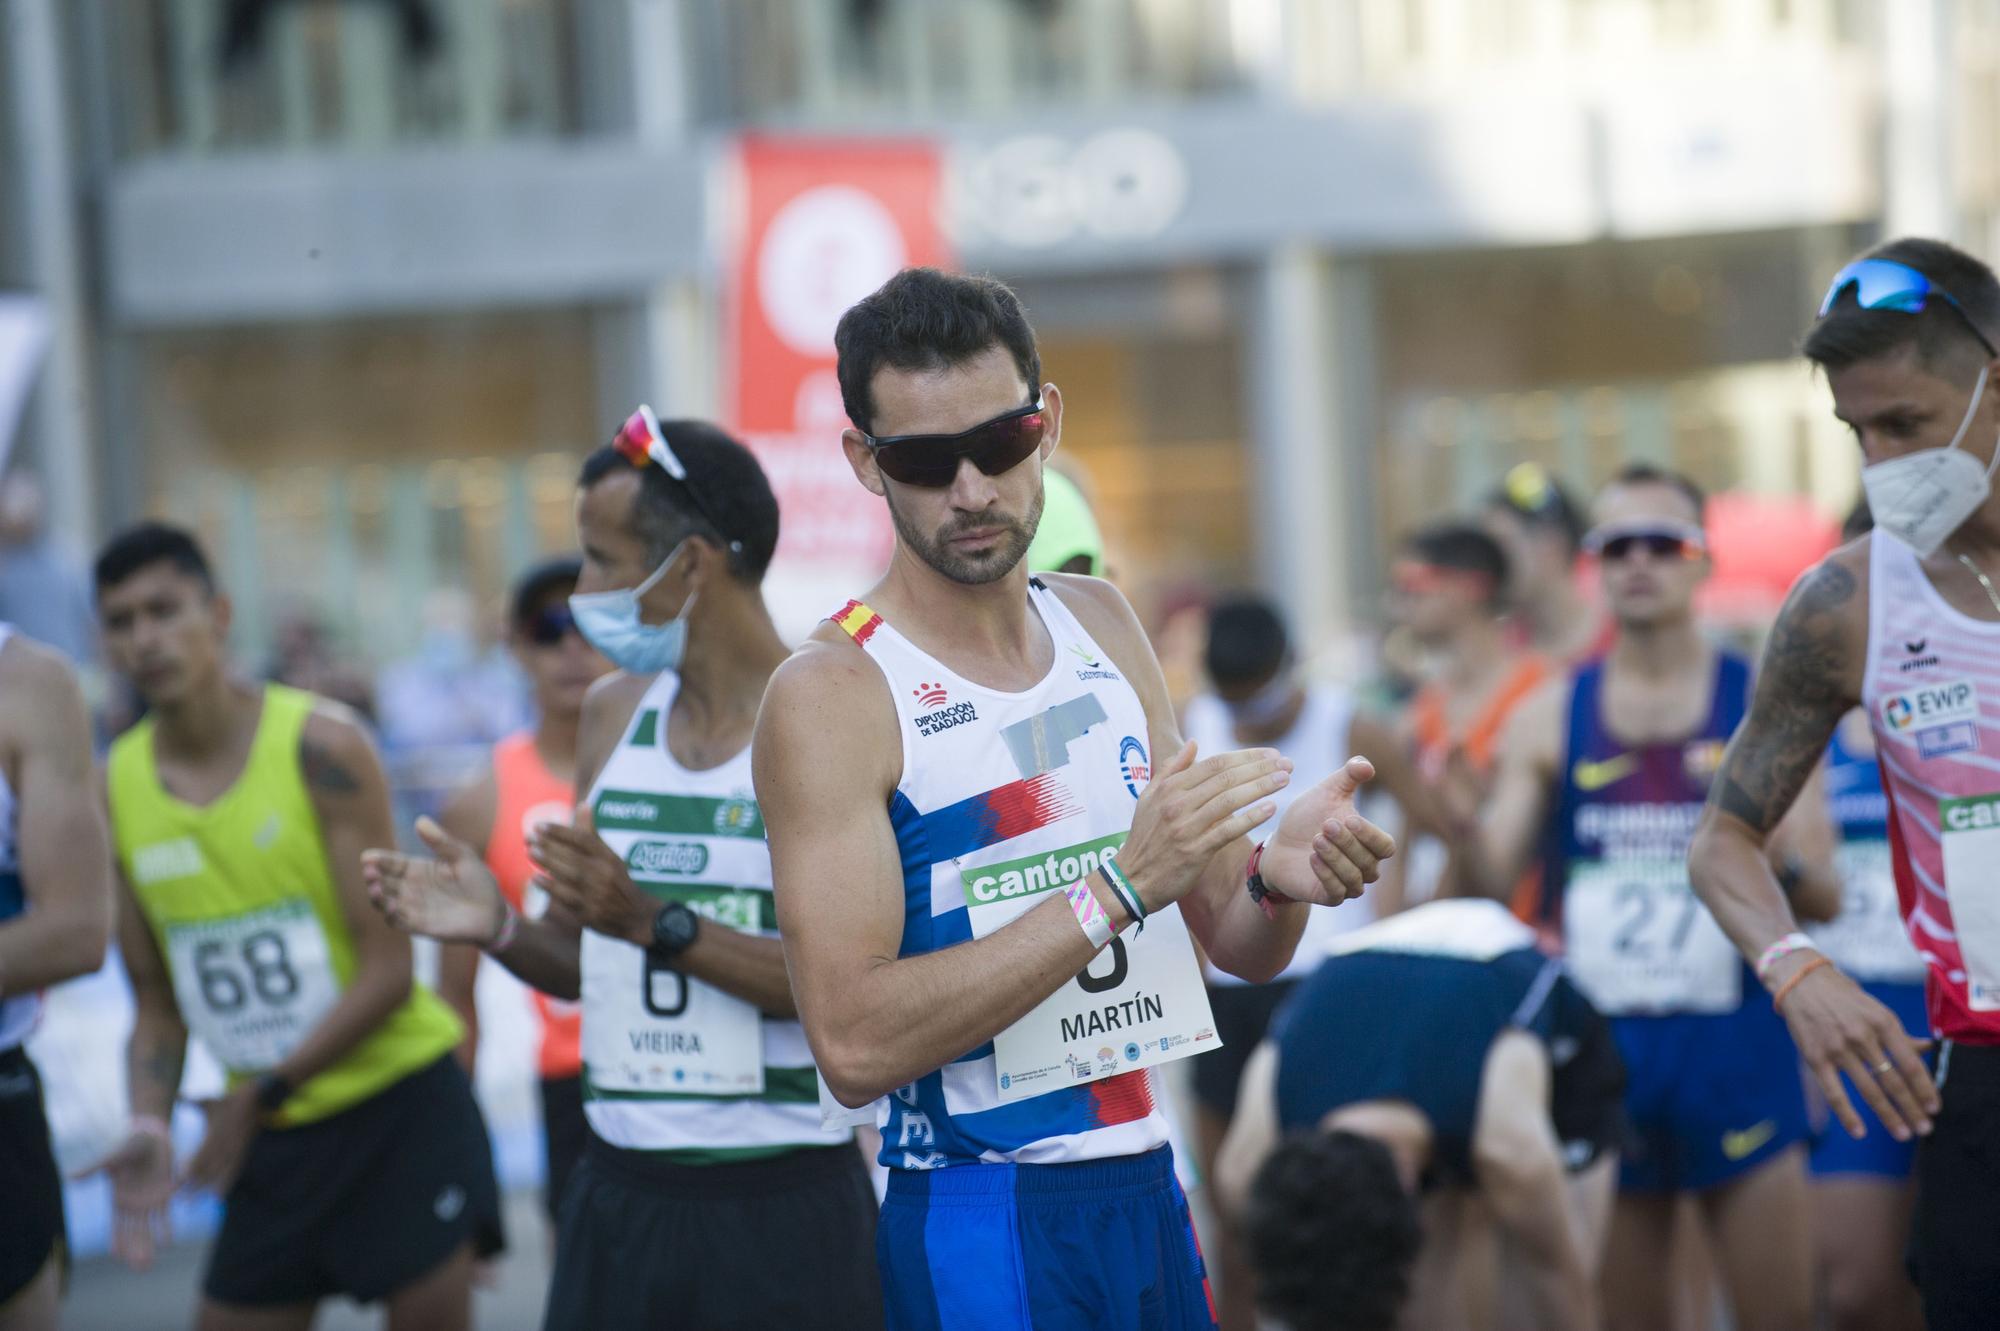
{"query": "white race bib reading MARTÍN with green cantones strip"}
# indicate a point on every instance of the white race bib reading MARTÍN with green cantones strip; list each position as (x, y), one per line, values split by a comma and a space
(1139, 1004)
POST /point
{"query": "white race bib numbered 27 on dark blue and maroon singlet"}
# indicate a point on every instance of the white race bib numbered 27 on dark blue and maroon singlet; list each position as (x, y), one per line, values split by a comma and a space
(1641, 942)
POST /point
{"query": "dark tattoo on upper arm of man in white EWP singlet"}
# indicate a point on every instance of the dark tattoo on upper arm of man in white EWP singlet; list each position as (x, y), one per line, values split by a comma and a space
(1799, 700)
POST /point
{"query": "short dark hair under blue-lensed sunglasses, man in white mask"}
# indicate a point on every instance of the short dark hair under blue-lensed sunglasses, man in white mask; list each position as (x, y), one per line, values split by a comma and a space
(1849, 335)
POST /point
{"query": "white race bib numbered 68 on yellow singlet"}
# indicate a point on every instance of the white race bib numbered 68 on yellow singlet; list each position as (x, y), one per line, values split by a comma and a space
(253, 986)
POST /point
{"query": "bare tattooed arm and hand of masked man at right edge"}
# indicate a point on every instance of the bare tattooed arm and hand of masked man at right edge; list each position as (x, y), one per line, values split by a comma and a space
(1811, 678)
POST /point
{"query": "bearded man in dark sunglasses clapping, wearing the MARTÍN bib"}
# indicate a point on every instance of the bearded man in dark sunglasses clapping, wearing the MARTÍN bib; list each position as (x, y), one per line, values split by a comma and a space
(985, 884)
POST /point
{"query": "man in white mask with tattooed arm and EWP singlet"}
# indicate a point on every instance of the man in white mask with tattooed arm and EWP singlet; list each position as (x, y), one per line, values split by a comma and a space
(1907, 625)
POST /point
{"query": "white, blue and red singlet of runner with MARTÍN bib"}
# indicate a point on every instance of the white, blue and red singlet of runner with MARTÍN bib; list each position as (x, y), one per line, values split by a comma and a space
(1003, 800)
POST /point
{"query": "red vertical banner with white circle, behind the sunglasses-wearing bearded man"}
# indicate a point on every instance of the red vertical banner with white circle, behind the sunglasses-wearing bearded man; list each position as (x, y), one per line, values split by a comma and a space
(821, 225)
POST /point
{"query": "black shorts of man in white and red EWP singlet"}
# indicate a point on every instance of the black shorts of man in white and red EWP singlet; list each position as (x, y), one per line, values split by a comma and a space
(1957, 1234)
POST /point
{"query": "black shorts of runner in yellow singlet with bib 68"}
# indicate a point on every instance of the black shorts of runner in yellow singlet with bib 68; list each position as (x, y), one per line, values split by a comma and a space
(365, 1202)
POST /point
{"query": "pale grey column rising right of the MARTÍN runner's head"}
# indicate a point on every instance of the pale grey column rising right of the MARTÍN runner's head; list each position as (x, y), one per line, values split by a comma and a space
(1313, 439)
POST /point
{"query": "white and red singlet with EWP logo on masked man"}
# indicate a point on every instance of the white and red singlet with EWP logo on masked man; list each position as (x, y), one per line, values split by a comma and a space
(1933, 696)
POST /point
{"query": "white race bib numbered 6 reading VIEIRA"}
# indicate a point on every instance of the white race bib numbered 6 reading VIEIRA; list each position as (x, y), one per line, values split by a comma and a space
(653, 1030)
